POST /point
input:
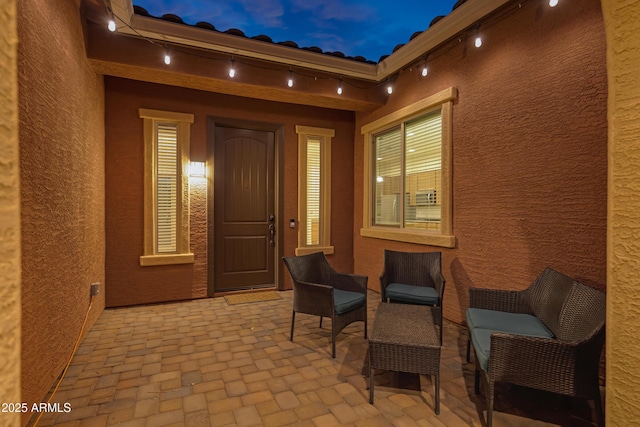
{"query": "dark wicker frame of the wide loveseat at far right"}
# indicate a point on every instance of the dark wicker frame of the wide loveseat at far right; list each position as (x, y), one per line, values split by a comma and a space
(567, 362)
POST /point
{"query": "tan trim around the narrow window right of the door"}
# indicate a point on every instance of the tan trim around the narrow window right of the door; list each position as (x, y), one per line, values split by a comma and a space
(325, 198)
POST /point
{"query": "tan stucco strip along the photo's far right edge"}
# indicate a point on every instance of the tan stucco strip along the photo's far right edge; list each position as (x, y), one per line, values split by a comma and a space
(623, 243)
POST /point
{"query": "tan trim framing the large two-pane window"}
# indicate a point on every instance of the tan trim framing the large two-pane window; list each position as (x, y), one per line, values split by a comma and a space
(444, 237)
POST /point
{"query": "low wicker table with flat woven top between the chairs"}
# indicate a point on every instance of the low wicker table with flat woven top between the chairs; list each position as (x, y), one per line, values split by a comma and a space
(404, 338)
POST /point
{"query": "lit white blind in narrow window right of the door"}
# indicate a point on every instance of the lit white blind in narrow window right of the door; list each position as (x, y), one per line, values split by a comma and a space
(314, 145)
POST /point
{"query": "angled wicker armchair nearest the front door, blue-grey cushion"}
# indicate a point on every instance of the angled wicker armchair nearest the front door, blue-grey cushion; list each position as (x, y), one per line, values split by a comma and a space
(319, 290)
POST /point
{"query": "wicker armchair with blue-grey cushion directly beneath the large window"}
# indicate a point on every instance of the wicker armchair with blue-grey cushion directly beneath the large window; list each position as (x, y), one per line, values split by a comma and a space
(414, 278)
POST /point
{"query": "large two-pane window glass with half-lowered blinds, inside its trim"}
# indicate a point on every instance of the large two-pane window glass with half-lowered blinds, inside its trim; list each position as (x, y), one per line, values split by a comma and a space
(408, 174)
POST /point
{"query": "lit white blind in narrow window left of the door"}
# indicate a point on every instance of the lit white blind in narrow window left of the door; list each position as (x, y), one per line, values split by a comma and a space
(167, 187)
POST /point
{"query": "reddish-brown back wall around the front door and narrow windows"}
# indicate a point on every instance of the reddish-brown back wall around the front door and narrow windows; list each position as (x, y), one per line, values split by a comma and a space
(127, 282)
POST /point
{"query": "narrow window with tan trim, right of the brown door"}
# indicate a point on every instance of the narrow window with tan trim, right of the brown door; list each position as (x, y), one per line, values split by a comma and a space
(314, 189)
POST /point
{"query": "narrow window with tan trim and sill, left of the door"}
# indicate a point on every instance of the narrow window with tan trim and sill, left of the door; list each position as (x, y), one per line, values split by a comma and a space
(166, 191)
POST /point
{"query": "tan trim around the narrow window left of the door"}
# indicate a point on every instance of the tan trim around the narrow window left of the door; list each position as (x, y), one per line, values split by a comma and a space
(183, 254)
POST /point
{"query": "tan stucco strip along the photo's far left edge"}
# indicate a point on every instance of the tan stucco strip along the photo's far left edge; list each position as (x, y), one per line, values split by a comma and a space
(9, 214)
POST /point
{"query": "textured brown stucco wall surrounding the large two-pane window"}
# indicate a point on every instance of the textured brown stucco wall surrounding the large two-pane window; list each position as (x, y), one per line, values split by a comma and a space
(529, 152)
